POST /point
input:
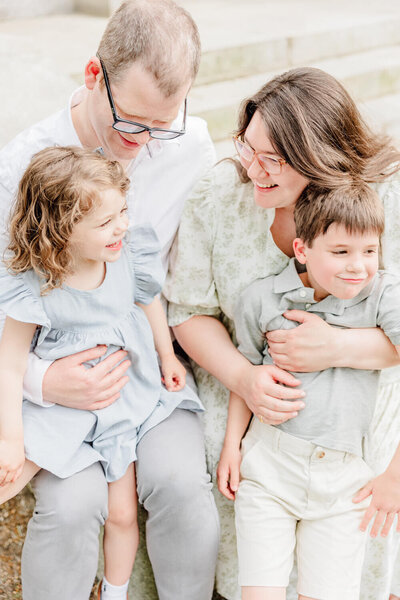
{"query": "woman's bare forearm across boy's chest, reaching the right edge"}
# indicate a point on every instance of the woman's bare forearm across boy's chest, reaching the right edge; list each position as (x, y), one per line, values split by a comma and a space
(364, 349)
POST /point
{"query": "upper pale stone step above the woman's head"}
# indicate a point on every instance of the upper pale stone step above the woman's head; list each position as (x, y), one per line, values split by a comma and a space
(318, 41)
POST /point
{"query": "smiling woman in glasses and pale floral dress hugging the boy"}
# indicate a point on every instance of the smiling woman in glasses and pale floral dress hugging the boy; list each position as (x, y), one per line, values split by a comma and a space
(301, 127)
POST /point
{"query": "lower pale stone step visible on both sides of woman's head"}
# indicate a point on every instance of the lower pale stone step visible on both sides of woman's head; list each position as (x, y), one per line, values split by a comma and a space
(366, 75)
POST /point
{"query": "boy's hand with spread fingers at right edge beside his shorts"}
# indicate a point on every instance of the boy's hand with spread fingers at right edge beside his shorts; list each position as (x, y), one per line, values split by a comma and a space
(385, 503)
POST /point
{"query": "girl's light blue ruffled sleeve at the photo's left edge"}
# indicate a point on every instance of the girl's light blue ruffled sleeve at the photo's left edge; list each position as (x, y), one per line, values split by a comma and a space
(20, 299)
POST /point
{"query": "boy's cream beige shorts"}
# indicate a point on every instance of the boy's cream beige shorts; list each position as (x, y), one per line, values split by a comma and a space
(296, 496)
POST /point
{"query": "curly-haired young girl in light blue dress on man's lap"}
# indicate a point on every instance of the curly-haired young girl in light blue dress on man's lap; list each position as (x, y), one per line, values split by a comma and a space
(72, 283)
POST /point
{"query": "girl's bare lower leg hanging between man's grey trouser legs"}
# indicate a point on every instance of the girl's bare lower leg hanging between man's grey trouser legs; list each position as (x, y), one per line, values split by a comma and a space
(121, 532)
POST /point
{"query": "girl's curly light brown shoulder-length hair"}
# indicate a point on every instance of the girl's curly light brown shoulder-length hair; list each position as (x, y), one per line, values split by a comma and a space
(59, 187)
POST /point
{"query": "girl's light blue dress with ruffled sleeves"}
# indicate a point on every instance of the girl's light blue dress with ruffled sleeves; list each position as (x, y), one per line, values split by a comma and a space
(65, 440)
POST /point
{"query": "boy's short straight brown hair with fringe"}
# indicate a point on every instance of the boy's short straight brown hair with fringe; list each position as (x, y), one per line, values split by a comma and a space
(356, 206)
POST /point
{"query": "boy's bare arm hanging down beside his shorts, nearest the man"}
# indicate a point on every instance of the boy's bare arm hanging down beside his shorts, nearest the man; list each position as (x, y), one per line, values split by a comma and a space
(239, 416)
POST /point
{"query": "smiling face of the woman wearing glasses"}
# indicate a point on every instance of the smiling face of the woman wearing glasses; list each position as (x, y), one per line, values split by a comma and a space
(271, 191)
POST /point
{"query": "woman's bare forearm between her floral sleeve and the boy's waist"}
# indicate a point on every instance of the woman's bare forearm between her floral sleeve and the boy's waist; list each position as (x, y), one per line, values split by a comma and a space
(207, 342)
